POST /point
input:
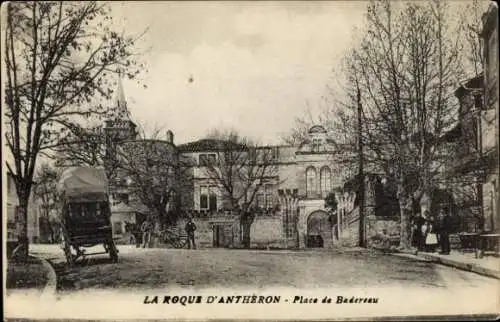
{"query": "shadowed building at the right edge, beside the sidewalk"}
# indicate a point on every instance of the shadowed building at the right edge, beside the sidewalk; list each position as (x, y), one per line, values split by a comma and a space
(474, 141)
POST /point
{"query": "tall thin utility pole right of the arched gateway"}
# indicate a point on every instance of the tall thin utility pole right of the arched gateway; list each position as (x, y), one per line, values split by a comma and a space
(361, 175)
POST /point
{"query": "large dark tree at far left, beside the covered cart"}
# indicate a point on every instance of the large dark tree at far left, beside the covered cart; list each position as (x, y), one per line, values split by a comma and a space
(58, 58)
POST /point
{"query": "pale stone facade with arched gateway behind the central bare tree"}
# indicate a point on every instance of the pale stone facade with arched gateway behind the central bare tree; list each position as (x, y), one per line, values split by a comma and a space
(290, 207)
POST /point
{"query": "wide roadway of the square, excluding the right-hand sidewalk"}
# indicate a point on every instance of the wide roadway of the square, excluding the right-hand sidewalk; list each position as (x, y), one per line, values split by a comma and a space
(139, 268)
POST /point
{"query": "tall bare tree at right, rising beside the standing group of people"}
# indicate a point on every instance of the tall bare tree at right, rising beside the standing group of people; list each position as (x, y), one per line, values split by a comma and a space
(406, 70)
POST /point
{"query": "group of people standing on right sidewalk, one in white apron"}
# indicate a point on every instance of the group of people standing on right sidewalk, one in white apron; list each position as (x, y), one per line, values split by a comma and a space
(428, 232)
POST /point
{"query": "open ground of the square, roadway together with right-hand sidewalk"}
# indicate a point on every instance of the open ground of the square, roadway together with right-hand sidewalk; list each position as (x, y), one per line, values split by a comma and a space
(147, 267)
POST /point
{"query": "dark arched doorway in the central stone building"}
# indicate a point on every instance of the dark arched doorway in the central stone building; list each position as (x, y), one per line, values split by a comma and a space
(319, 230)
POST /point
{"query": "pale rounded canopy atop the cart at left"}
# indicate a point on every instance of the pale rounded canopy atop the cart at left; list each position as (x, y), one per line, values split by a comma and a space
(83, 183)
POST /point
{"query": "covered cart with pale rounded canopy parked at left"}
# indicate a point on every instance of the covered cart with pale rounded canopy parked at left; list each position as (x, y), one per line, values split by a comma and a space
(85, 213)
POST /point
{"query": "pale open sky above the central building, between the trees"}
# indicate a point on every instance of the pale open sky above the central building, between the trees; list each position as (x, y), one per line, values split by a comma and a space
(254, 66)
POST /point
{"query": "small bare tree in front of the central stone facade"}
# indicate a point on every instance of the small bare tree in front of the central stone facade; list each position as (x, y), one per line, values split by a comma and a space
(241, 170)
